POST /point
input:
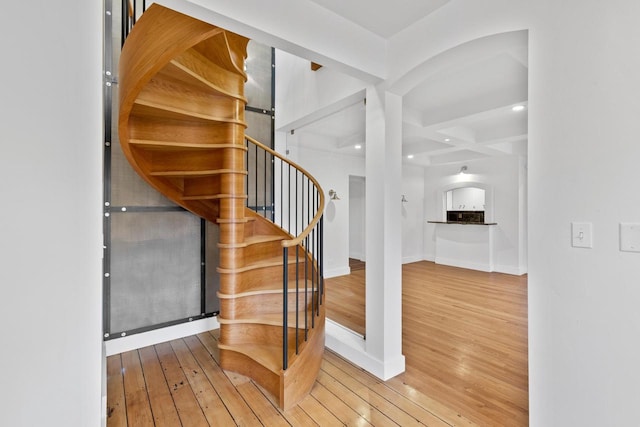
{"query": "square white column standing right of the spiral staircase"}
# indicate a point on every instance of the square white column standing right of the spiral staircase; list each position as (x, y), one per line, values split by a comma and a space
(384, 230)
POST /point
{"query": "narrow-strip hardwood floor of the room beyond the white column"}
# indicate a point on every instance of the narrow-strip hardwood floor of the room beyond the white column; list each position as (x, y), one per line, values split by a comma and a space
(464, 337)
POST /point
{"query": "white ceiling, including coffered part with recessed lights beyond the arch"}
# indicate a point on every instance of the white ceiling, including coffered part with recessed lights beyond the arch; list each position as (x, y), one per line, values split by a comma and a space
(460, 111)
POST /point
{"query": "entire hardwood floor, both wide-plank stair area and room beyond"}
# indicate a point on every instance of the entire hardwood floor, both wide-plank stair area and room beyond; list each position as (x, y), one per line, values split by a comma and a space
(464, 339)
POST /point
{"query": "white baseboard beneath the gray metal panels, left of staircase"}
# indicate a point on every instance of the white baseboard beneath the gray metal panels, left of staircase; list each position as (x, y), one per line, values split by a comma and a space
(145, 339)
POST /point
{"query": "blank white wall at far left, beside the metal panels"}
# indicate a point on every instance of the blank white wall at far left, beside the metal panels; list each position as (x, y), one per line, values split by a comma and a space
(51, 221)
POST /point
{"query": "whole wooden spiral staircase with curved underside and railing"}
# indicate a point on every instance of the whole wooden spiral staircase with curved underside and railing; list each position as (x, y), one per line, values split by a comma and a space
(181, 126)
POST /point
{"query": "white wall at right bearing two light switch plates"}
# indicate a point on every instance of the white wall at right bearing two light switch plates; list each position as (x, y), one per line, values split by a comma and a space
(583, 162)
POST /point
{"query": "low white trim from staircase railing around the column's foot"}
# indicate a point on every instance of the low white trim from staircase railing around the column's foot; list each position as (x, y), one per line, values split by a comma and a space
(352, 346)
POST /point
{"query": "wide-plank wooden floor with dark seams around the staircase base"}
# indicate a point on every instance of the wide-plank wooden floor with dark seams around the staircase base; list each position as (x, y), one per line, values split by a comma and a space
(180, 383)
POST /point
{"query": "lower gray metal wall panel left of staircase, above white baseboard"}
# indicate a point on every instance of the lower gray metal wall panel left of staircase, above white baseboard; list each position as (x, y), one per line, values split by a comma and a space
(155, 268)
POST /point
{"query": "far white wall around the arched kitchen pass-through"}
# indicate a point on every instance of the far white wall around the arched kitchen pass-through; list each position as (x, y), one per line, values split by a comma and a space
(502, 174)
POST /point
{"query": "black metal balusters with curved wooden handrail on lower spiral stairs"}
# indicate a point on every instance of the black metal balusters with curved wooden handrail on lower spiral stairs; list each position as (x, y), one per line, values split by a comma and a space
(297, 203)
